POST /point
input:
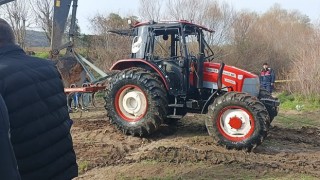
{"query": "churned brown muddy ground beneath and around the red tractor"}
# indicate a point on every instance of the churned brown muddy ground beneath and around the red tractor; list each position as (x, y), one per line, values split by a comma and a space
(185, 151)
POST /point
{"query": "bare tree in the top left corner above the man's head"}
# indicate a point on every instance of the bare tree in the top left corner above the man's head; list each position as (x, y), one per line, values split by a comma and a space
(18, 14)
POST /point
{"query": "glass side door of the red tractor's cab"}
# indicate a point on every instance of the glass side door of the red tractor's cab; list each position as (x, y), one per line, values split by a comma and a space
(165, 51)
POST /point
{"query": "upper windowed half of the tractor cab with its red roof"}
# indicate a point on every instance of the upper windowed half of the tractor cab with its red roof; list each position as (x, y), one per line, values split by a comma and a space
(168, 40)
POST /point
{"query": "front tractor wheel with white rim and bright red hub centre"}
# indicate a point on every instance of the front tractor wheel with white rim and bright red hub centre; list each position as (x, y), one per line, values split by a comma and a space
(237, 121)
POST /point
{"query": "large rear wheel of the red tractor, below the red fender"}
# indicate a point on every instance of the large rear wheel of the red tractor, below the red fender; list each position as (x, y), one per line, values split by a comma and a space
(136, 102)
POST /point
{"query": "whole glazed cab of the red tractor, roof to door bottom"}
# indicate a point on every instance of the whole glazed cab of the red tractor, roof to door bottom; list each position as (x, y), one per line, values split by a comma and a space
(177, 48)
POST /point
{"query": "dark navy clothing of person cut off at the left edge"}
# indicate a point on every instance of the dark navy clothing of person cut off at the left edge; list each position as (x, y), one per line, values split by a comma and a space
(8, 163)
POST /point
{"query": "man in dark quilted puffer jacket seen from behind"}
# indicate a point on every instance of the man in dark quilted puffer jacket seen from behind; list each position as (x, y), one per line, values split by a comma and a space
(39, 120)
